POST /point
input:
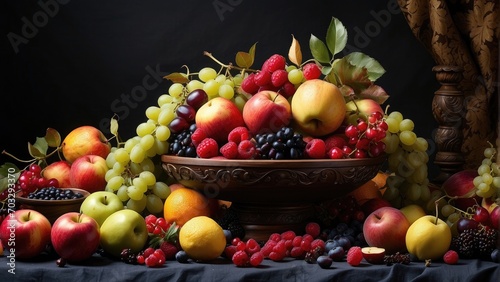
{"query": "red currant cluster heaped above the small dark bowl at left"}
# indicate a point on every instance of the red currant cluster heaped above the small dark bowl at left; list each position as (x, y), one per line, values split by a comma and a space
(29, 181)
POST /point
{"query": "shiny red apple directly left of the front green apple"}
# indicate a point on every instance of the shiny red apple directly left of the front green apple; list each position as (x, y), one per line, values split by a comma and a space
(75, 236)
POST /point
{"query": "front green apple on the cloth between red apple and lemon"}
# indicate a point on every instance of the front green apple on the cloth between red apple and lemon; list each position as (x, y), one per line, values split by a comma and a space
(124, 229)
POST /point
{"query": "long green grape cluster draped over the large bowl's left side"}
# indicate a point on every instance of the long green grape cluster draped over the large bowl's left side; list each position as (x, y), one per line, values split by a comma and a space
(133, 165)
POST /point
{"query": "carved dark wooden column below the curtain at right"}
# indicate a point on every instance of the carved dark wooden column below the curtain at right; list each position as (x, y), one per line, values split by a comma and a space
(449, 111)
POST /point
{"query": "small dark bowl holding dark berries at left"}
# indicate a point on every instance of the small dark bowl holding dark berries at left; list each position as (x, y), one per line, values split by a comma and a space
(52, 209)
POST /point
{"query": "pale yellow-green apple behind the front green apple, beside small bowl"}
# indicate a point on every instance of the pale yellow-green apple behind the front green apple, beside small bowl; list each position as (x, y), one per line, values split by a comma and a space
(101, 204)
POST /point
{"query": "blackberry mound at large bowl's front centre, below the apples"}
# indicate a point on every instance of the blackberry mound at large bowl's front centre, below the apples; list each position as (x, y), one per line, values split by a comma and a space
(284, 144)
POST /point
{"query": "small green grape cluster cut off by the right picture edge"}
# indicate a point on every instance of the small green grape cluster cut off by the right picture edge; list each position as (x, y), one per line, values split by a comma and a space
(487, 183)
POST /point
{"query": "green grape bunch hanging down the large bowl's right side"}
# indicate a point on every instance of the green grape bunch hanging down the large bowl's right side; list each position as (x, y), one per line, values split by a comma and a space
(408, 161)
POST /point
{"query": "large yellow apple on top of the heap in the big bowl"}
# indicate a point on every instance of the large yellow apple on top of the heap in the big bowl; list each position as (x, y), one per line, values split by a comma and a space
(318, 108)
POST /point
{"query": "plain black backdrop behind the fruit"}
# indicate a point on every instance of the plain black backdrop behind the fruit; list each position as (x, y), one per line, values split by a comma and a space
(70, 63)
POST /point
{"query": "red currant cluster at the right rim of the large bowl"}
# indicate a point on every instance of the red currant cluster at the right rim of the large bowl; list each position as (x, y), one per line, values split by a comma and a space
(365, 138)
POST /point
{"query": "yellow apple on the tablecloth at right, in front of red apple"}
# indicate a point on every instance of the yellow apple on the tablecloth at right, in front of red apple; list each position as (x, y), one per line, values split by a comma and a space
(428, 238)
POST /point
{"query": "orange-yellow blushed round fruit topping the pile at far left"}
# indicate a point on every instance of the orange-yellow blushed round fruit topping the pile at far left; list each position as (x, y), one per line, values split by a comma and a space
(85, 140)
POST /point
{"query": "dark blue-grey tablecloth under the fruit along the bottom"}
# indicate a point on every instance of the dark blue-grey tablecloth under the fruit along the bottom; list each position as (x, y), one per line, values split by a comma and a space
(100, 268)
